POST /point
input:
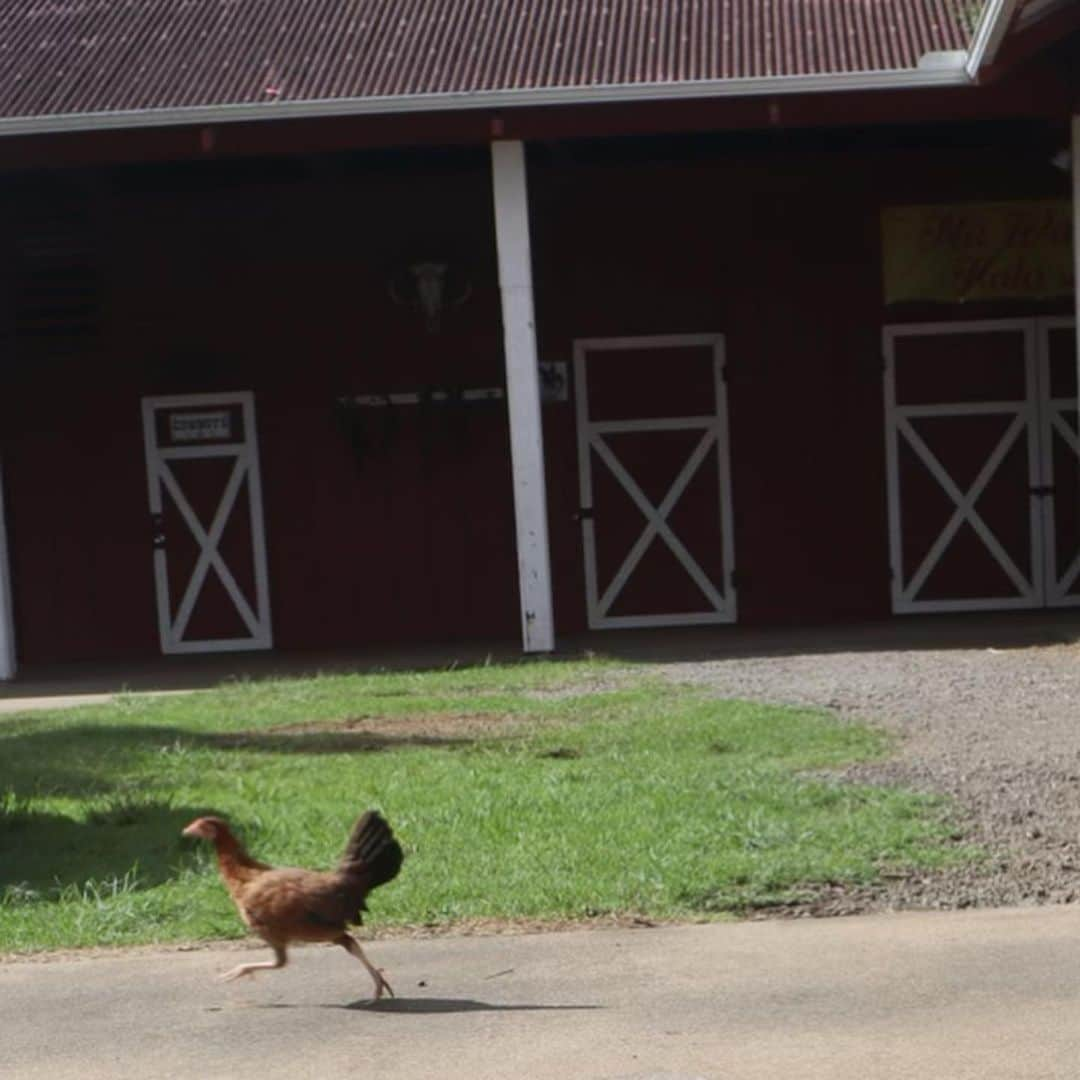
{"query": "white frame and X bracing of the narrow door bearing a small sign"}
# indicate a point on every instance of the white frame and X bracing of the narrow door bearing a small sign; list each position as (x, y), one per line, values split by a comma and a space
(246, 468)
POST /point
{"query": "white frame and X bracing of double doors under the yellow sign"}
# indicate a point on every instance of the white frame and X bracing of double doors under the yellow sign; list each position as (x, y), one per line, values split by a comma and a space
(1032, 418)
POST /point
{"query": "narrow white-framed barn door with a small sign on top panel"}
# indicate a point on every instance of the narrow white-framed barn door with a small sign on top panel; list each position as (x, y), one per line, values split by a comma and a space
(207, 516)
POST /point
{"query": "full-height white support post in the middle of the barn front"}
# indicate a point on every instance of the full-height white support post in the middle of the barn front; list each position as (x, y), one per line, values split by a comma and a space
(523, 394)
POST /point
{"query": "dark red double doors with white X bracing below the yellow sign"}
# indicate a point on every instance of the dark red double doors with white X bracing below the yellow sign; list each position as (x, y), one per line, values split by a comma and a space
(983, 455)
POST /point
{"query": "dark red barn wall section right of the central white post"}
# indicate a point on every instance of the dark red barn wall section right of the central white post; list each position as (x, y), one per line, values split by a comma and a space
(779, 249)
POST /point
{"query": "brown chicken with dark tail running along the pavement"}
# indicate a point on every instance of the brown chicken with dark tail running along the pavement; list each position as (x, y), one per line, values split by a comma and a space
(285, 906)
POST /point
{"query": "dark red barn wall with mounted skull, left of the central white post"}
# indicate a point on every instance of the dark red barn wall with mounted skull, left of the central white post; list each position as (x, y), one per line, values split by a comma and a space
(278, 287)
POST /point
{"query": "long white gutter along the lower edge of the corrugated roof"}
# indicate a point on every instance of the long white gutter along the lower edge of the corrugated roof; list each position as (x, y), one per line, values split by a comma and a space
(935, 71)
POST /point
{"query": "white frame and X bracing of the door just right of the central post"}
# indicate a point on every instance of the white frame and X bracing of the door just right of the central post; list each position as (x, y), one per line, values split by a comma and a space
(592, 439)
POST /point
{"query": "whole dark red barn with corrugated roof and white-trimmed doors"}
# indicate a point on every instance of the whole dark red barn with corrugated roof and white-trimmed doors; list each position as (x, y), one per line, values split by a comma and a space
(330, 326)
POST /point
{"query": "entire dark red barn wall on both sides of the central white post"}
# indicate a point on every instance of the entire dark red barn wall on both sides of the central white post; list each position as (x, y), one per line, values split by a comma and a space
(274, 279)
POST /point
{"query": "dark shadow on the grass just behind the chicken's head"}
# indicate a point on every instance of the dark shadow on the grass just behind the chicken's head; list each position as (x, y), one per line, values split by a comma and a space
(126, 845)
